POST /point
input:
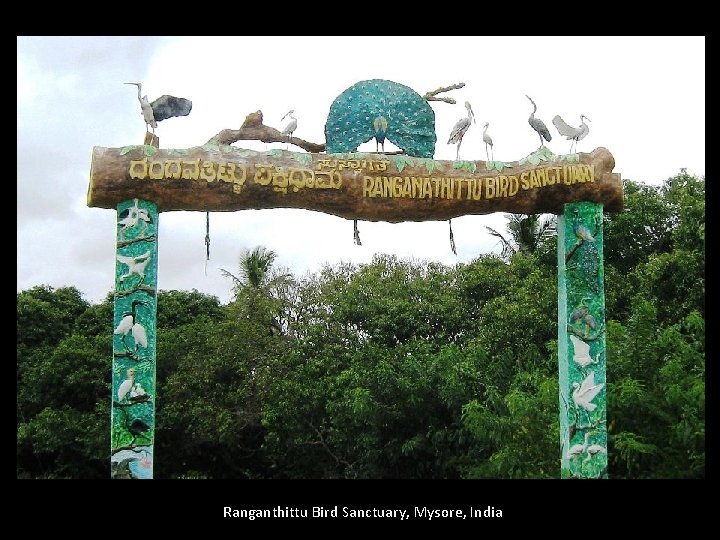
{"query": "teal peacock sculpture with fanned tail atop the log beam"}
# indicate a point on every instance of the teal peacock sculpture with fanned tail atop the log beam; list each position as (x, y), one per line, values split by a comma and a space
(384, 110)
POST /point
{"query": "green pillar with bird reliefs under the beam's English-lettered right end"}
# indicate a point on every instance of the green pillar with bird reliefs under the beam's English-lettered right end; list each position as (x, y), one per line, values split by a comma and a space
(581, 342)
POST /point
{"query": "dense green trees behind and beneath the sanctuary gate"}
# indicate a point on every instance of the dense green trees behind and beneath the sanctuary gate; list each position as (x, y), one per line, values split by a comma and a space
(390, 369)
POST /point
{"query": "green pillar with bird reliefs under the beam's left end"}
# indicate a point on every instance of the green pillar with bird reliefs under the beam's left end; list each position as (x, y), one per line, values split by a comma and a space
(134, 338)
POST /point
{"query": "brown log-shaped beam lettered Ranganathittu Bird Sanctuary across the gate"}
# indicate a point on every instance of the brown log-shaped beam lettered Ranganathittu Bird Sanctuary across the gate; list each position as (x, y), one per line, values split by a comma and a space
(366, 186)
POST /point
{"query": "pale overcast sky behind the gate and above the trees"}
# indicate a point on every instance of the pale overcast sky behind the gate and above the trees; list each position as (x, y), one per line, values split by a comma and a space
(645, 97)
